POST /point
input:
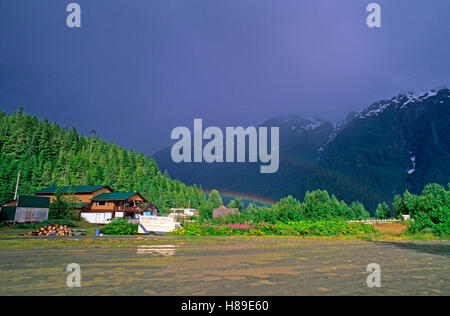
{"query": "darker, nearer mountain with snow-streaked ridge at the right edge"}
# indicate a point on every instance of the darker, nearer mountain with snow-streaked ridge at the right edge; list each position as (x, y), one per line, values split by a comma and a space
(393, 145)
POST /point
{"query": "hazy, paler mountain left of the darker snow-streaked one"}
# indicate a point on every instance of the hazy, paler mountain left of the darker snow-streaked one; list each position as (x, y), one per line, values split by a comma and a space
(300, 140)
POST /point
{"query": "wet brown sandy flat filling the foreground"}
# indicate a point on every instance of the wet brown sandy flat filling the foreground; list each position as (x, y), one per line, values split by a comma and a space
(262, 266)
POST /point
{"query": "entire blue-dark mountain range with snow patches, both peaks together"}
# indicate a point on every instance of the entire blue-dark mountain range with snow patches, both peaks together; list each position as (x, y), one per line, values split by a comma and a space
(393, 145)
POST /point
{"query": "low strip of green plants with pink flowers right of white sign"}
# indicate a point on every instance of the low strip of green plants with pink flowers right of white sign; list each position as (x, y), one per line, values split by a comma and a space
(301, 228)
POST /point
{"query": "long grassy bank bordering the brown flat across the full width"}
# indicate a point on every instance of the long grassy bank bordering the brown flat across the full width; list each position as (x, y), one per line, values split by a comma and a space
(207, 232)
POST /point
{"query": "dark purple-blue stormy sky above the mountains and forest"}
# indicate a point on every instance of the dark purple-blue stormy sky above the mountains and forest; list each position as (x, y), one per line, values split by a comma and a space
(136, 69)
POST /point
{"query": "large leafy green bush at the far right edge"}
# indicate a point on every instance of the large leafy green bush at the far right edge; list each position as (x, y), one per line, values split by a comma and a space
(430, 210)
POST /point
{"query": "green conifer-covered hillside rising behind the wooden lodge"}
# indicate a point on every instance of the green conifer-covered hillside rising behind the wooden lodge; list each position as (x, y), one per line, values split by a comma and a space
(48, 154)
